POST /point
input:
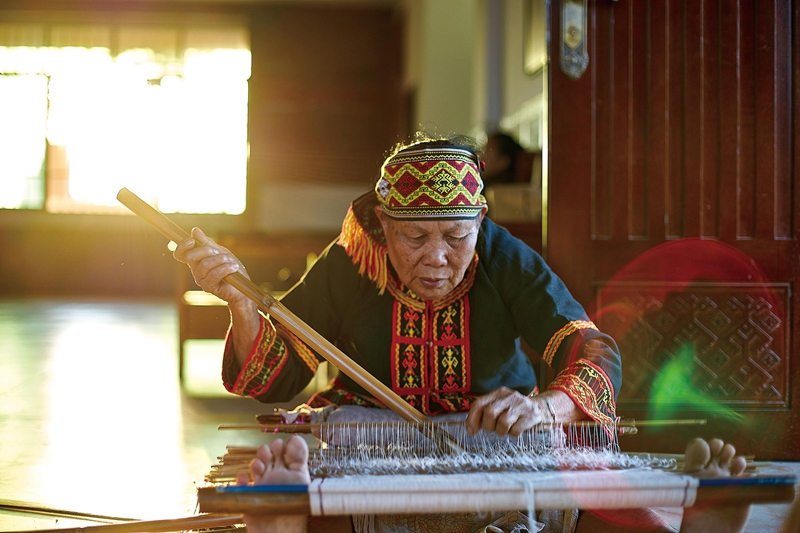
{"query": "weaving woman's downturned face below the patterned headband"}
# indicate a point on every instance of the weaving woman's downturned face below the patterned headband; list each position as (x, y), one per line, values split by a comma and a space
(430, 256)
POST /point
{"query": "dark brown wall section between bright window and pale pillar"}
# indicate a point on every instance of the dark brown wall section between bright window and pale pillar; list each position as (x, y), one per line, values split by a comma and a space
(326, 96)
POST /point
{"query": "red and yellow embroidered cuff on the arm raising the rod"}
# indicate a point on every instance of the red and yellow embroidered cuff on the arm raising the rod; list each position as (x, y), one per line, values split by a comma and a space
(272, 350)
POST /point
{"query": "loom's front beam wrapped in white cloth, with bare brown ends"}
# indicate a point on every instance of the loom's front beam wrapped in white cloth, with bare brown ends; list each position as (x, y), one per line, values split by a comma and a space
(502, 491)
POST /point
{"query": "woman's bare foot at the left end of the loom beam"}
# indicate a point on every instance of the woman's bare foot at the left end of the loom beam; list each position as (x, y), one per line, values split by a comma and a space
(278, 464)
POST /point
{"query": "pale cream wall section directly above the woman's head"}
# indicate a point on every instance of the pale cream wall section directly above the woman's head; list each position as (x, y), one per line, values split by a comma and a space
(464, 63)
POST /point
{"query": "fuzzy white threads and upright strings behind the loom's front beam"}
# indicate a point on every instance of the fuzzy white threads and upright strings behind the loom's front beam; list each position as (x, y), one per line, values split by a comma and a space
(396, 447)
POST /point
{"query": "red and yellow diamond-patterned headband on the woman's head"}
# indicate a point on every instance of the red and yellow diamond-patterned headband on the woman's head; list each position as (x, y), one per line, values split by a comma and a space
(431, 183)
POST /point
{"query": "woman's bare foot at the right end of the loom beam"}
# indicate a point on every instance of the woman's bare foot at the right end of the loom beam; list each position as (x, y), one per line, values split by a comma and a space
(714, 459)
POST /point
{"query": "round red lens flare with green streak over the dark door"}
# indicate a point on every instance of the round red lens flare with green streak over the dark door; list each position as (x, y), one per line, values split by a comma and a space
(701, 328)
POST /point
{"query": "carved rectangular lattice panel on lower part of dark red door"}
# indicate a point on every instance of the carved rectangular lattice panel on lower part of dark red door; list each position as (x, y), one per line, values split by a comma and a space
(726, 342)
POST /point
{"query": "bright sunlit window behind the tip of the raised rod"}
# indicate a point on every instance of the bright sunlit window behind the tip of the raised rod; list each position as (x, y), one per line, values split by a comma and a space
(162, 112)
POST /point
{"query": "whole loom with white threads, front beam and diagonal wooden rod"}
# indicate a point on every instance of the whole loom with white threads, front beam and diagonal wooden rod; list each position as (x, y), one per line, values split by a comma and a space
(520, 474)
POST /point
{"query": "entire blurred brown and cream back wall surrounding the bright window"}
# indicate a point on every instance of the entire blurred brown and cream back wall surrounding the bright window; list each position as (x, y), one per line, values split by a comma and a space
(332, 87)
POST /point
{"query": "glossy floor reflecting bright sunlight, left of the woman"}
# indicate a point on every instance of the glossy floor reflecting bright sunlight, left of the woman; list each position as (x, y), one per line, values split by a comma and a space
(94, 419)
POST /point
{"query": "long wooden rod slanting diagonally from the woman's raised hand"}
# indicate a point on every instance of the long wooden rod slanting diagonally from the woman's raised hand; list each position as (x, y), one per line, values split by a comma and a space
(268, 304)
